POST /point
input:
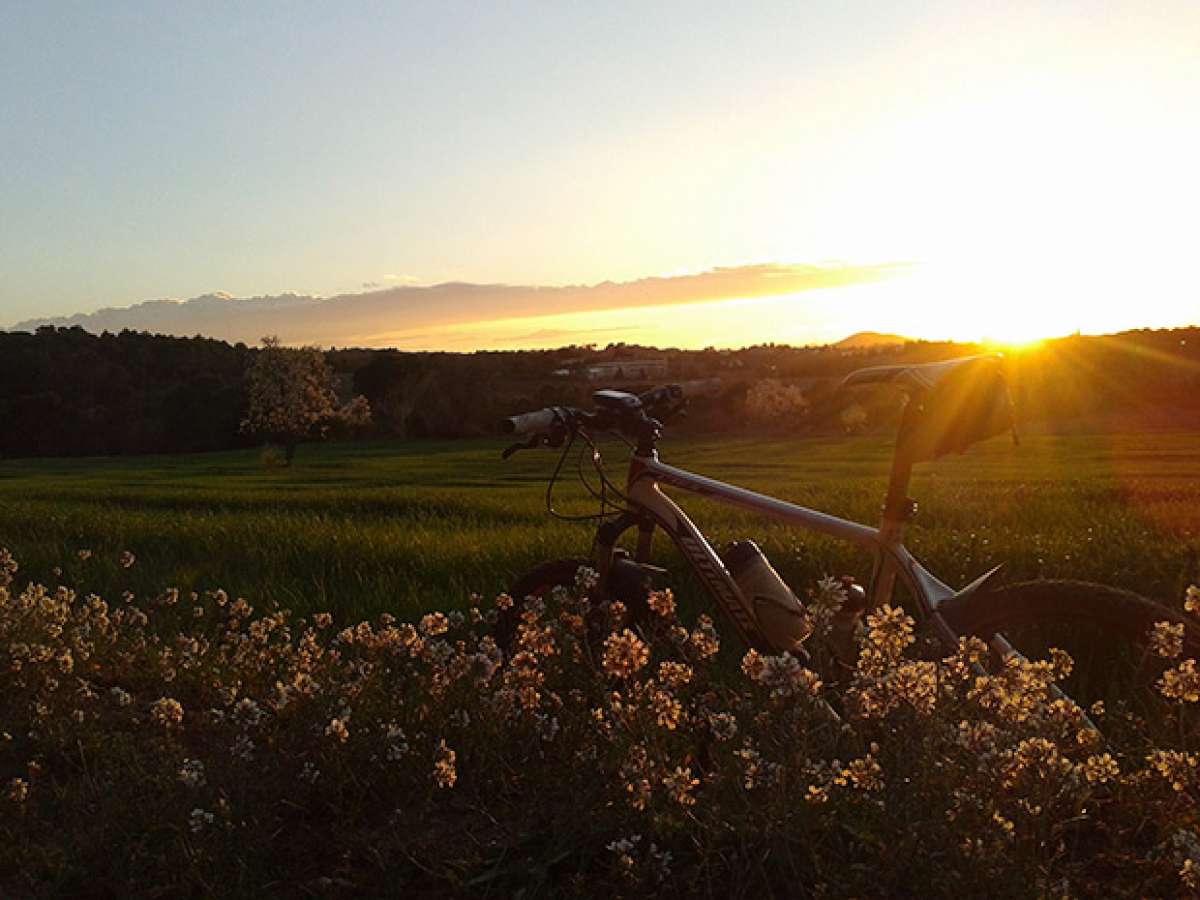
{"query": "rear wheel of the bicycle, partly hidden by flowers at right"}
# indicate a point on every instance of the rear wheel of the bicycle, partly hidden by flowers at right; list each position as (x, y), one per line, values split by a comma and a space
(1106, 631)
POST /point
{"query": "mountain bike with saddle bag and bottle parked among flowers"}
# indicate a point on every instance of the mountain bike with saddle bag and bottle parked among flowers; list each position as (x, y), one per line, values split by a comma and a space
(952, 405)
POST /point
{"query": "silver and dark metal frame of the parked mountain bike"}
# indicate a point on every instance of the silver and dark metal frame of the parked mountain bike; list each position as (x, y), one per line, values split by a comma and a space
(653, 509)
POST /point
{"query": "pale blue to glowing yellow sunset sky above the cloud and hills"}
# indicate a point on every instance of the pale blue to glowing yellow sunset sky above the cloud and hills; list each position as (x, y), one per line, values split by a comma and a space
(1030, 169)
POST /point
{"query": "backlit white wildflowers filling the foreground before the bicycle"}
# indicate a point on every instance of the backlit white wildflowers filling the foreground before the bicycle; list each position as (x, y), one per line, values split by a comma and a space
(194, 746)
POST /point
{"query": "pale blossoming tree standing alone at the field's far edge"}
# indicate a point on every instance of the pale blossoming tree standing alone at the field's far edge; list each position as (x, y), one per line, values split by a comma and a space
(291, 393)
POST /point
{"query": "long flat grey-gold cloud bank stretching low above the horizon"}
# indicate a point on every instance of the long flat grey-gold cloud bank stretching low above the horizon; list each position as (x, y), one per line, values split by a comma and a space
(425, 316)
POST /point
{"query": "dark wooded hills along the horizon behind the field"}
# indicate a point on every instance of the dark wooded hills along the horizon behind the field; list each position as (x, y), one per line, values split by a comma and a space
(65, 392)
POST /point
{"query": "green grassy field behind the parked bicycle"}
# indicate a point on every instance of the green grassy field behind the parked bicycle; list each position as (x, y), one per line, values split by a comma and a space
(362, 529)
